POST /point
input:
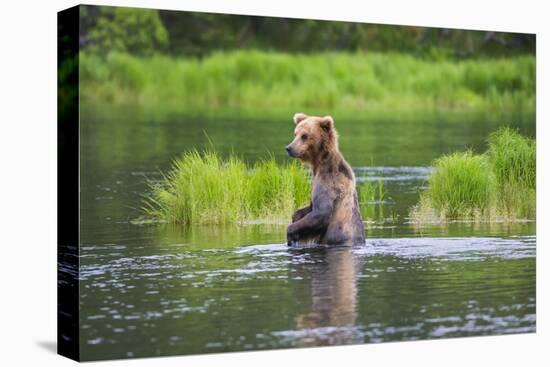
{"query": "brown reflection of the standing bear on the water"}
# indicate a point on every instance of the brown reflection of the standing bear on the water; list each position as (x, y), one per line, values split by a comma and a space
(330, 318)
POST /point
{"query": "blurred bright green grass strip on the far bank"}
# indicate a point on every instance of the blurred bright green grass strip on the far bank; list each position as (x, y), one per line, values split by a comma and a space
(276, 84)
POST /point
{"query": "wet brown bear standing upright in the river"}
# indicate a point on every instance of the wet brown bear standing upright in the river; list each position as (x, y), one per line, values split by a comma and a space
(333, 215)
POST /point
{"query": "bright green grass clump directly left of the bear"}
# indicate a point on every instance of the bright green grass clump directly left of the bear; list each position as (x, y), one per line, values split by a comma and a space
(203, 188)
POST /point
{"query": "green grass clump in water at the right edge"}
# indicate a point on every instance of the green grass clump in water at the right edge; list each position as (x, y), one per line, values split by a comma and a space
(497, 185)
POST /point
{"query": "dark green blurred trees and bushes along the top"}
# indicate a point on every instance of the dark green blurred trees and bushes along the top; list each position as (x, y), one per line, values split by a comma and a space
(180, 33)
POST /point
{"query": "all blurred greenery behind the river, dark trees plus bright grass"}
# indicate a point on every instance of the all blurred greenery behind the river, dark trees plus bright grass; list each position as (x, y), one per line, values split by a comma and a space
(222, 64)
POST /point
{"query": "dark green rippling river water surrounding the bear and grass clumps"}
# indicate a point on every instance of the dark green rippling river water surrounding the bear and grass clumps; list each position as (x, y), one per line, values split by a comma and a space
(162, 289)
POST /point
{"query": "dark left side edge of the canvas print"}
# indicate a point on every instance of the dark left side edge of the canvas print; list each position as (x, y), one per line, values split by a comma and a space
(68, 183)
